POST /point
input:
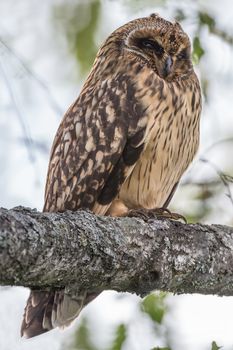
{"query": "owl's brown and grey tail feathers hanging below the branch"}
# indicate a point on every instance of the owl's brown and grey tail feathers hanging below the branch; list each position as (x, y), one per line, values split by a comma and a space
(47, 310)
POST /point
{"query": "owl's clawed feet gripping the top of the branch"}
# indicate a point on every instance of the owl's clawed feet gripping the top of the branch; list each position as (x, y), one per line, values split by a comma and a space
(157, 213)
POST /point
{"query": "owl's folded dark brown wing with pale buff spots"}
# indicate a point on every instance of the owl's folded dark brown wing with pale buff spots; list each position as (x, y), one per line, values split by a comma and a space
(96, 146)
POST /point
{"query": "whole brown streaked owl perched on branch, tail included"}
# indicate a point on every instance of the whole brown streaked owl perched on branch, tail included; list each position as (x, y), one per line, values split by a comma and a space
(124, 143)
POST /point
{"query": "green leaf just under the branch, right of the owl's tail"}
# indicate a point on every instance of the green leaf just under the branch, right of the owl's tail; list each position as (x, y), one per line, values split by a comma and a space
(154, 306)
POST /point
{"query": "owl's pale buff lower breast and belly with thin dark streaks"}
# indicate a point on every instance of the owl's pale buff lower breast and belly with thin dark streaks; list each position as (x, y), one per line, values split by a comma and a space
(170, 147)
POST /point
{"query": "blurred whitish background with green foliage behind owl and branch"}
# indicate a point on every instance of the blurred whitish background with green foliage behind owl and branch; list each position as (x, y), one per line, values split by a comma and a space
(46, 51)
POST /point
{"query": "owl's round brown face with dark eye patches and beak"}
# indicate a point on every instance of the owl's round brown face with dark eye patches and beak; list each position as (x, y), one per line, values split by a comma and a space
(165, 50)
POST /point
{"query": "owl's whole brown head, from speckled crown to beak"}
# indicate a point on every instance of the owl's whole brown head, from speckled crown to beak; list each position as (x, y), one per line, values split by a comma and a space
(158, 43)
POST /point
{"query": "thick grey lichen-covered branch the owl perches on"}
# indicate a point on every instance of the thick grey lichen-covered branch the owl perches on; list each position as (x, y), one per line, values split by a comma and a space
(82, 251)
